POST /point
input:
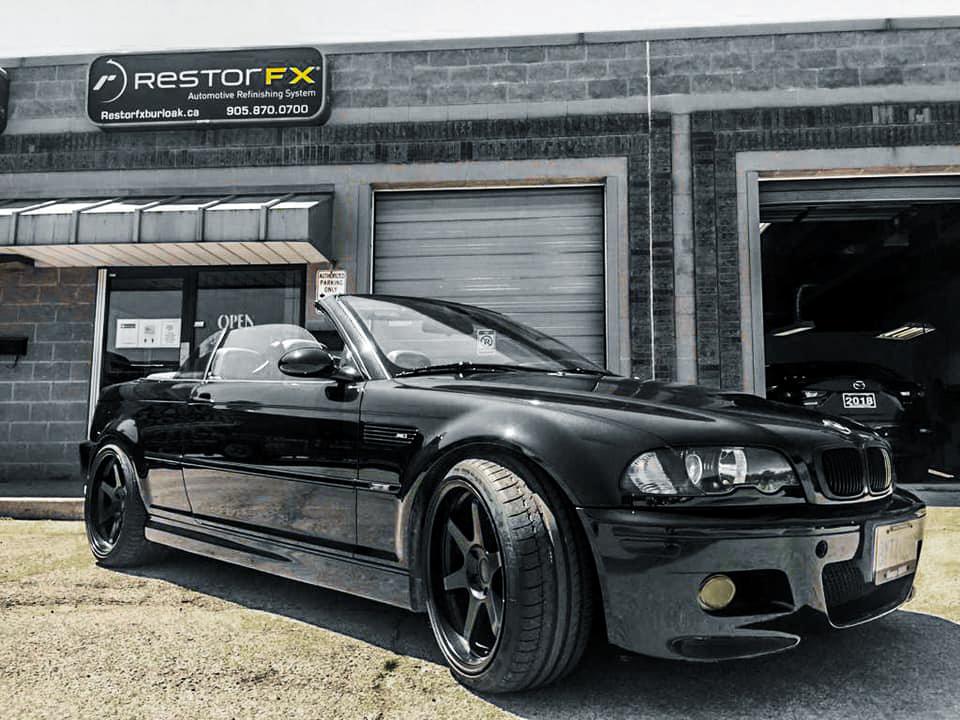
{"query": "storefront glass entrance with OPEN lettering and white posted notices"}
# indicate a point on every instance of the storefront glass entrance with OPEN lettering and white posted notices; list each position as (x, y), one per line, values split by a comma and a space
(155, 317)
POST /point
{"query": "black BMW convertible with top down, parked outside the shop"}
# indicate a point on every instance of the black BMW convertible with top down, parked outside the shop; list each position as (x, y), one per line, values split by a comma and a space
(446, 459)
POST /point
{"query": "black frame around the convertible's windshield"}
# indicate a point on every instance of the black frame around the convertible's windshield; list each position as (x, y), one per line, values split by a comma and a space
(392, 370)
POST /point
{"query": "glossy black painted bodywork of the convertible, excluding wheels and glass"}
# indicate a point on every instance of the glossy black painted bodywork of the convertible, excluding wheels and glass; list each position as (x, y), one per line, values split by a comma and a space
(326, 480)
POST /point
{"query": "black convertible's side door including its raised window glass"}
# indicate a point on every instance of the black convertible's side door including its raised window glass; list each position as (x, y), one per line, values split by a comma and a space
(271, 453)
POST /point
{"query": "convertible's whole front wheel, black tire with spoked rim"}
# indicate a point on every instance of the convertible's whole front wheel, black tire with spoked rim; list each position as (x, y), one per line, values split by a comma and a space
(493, 531)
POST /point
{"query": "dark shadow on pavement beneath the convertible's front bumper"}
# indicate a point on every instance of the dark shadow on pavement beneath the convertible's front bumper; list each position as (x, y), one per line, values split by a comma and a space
(905, 665)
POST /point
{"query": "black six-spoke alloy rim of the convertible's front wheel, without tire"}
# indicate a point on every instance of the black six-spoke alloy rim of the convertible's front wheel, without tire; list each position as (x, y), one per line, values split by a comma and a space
(467, 581)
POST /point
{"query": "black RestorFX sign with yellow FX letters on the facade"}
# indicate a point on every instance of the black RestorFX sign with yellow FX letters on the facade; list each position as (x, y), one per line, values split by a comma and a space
(233, 87)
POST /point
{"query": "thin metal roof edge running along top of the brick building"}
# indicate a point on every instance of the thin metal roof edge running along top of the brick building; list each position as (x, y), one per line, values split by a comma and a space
(590, 38)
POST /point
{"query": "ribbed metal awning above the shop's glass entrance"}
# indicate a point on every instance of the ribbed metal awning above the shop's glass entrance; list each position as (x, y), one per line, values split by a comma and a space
(178, 230)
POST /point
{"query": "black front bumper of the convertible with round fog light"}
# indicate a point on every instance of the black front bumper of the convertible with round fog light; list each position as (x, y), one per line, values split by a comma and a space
(798, 572)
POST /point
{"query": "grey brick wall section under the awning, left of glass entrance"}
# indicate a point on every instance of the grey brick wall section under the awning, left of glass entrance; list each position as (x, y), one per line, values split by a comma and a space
(43, 400)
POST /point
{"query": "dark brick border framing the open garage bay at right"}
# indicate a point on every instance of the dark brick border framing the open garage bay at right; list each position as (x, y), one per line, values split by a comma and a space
(716, 139)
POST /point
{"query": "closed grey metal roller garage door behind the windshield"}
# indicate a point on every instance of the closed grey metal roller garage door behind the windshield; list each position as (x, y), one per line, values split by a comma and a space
(533, 254)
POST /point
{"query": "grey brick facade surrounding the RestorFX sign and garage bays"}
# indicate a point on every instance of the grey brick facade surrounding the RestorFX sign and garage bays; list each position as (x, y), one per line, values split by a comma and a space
(556, 100)
